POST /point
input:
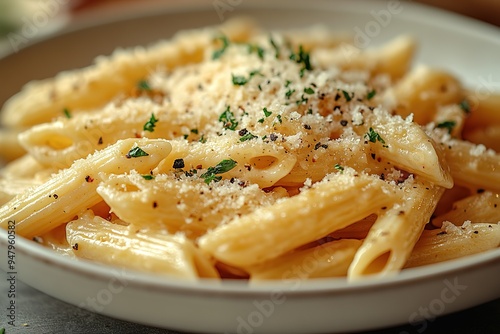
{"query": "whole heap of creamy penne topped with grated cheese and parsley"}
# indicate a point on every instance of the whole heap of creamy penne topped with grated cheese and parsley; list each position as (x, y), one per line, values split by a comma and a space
(230, 152)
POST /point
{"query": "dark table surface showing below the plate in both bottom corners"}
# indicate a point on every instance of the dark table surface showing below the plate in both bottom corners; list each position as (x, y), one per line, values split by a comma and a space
(39, 313)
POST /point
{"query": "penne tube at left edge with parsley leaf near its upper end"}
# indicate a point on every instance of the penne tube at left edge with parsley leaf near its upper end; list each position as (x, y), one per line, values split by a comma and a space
(57, 201)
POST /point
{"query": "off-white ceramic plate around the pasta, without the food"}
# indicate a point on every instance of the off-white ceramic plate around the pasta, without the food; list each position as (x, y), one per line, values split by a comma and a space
(326, 305)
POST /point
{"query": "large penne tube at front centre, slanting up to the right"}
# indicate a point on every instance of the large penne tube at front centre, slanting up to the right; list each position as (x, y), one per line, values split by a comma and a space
(269, 232)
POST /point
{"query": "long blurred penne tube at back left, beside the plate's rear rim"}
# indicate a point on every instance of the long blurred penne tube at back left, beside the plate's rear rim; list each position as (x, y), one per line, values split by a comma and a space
(94, 86)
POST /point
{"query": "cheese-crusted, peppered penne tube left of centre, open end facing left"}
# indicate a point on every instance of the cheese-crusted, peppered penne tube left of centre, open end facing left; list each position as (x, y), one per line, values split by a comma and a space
(181, 204)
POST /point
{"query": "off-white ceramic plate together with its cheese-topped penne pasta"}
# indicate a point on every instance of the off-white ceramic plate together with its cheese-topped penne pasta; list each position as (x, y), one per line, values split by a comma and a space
(258, 162)
